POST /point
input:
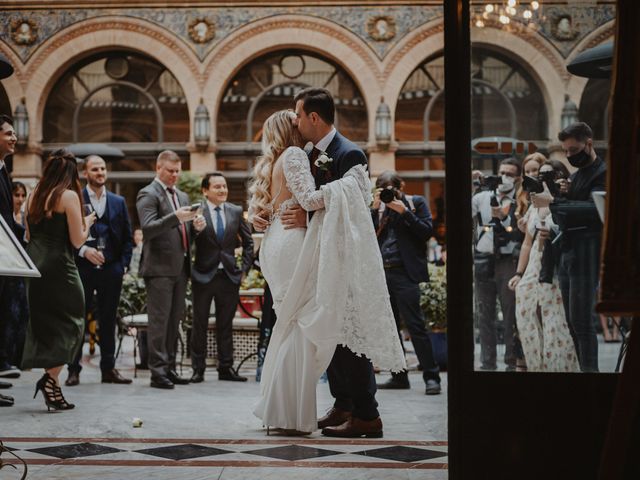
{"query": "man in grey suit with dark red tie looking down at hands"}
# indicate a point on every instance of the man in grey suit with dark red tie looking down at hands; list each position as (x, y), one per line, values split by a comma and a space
(165, 265)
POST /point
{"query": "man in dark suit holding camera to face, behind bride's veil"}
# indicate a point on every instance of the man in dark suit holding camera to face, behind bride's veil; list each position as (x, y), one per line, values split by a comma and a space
(403, 226)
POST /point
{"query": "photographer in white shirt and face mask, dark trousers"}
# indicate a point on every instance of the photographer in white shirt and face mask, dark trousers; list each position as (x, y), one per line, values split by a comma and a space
(497, 240)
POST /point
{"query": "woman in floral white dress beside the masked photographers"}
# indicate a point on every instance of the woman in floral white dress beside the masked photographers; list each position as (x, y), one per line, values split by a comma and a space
(540, 316)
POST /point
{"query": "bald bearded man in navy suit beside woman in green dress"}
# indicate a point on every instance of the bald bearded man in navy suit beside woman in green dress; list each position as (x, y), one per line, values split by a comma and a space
(101, 270)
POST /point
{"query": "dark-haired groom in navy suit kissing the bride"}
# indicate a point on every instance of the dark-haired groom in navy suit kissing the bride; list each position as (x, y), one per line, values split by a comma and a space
(351, 378)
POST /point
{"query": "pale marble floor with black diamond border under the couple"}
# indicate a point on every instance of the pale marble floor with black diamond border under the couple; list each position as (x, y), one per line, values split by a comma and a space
(207, 431)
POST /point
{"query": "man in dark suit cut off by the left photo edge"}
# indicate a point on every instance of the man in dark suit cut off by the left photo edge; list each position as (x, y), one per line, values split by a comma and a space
(8, 142)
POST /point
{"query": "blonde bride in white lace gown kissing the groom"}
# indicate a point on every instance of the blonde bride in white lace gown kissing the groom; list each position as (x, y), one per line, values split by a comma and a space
(327, 280)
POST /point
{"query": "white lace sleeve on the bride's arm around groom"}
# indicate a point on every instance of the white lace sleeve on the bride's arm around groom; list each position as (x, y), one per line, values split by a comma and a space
(300, 181)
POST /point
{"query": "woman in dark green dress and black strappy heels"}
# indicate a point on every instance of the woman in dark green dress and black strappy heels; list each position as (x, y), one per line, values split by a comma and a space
(55, 225)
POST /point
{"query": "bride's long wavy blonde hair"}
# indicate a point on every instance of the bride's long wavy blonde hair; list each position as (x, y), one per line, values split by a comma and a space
(278, 133)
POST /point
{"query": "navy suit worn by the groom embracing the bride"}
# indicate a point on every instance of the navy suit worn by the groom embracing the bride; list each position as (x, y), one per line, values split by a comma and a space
(351, 378)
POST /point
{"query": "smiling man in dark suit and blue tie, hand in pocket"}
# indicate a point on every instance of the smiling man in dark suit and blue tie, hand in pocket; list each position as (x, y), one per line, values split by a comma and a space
(216, 276)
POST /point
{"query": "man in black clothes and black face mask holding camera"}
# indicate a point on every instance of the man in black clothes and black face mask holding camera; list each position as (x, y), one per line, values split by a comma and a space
(576, 218)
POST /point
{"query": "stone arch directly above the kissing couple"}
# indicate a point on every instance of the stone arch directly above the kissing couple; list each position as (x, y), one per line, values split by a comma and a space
(293, 31)
